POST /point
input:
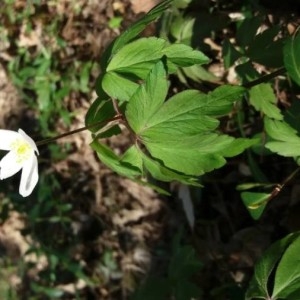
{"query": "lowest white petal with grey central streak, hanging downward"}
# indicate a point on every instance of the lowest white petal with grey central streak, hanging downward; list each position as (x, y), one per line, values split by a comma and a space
(29, 177)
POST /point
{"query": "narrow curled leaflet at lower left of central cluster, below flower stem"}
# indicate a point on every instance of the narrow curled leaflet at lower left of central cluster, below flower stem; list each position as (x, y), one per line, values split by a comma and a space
(109, 158)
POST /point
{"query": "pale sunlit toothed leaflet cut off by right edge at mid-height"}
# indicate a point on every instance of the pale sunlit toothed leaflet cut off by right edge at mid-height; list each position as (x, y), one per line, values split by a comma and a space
(287, 142)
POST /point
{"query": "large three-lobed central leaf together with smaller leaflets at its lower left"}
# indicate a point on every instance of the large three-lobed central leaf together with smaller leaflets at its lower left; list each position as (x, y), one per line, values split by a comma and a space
(180, 129)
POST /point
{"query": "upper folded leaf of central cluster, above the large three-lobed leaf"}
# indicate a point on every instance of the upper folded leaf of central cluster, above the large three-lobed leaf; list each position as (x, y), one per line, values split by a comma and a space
(137, 59)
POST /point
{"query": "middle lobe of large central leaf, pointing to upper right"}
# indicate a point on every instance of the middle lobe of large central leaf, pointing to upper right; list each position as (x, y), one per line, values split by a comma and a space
(190, 112)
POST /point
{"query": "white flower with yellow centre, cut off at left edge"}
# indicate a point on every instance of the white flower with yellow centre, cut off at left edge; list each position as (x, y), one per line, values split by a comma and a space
(22, 155)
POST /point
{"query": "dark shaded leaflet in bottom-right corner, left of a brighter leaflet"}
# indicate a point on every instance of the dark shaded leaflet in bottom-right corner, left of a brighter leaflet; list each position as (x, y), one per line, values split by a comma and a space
(258, 287)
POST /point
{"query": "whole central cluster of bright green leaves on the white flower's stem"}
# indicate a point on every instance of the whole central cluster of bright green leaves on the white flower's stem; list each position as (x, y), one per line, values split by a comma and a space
(179, 129)
